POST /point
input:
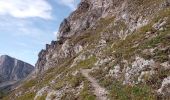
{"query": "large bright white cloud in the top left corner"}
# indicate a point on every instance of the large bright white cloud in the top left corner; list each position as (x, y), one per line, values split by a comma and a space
(26, 8)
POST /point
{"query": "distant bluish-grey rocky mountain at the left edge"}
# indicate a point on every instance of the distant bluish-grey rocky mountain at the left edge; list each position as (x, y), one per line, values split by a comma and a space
(12, 69)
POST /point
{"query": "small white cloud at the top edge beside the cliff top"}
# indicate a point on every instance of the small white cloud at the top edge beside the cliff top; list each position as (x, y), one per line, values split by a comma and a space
(70, 3)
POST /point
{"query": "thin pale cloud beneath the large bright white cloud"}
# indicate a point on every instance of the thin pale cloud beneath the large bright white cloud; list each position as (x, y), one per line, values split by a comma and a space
(18, 27)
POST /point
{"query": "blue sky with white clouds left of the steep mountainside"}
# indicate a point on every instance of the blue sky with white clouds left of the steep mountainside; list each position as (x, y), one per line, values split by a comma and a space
(27, 25)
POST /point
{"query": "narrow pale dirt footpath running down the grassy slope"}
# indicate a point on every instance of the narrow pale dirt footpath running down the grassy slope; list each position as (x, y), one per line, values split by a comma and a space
(100, 92)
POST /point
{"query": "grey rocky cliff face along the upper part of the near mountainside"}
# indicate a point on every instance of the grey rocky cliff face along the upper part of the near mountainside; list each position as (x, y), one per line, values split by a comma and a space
(128, 16)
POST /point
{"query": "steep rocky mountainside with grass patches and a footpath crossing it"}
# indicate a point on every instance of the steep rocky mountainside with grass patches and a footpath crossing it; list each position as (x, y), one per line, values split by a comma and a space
(119, 47)
